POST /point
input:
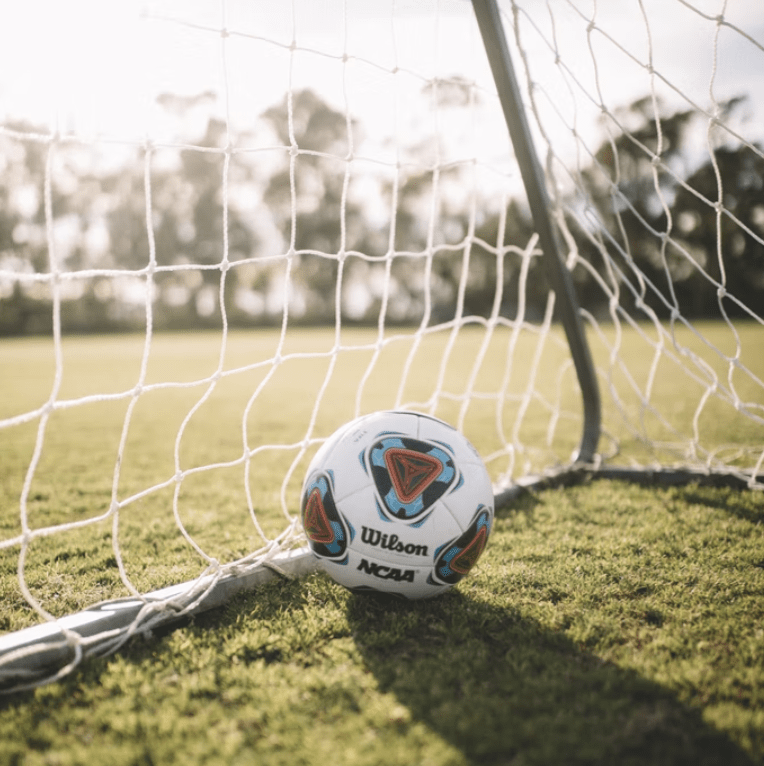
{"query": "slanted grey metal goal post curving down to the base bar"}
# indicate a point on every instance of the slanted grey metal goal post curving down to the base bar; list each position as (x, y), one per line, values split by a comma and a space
(495, 42)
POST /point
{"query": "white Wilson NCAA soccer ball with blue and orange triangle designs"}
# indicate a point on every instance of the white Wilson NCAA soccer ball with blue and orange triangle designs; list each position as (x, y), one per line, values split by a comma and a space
(398, 502)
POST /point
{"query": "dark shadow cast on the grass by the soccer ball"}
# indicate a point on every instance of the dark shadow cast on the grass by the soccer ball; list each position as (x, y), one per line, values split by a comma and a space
(502, 689)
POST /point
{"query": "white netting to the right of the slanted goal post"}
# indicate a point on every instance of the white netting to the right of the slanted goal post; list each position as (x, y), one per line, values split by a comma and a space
(663, 212)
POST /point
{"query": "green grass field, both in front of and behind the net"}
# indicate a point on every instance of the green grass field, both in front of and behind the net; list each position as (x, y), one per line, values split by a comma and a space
(606, 623)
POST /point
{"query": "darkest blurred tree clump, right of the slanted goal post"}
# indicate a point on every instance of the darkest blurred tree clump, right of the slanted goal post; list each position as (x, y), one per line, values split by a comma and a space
(637, 201)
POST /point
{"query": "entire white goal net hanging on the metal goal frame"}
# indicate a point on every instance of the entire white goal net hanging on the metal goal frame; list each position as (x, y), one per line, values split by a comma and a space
(227, 229)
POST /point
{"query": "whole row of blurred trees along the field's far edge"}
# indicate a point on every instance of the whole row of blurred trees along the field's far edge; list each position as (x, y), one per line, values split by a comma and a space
(307, 205)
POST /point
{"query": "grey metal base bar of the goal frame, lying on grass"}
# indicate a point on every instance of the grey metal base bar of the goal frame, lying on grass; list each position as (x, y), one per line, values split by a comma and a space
(48, 651)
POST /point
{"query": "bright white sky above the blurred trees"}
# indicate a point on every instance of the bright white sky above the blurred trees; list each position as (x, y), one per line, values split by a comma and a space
(96, 67)
